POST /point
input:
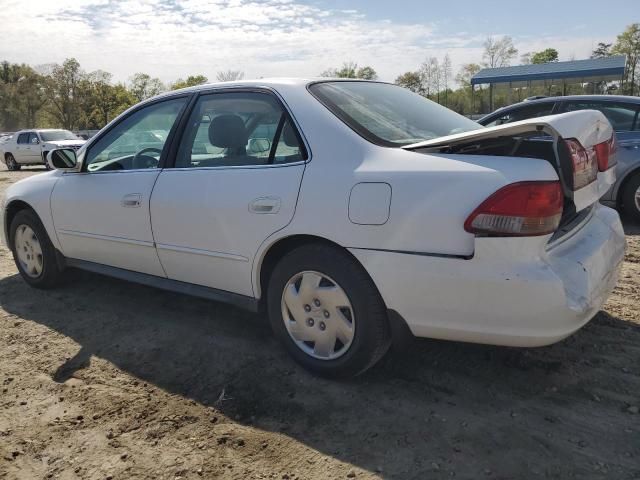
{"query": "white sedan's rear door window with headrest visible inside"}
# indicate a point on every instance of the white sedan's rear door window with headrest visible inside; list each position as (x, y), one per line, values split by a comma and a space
(238, 129)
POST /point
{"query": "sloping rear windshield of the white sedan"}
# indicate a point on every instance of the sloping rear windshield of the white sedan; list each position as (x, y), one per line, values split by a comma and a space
(389, 115)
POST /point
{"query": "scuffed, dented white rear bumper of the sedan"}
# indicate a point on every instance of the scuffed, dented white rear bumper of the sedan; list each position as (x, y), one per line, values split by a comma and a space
(511, 292)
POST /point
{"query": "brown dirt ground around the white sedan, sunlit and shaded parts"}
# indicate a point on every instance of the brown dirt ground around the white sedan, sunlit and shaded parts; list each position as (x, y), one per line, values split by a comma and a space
(106, 379)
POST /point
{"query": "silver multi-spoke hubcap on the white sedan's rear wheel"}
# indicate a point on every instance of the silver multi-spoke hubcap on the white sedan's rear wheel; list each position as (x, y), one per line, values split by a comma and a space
(318, 315)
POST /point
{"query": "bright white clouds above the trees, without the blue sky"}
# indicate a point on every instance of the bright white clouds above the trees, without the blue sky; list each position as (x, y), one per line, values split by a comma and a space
(175, 38)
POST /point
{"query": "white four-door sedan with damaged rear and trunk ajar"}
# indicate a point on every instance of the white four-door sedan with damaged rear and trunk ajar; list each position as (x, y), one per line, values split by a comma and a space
(351, 211)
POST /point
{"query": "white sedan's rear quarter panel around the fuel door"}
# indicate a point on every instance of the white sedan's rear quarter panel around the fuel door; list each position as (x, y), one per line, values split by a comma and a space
(432, 194)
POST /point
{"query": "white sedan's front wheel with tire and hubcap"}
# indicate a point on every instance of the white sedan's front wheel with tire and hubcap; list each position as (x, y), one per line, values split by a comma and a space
(33, 252)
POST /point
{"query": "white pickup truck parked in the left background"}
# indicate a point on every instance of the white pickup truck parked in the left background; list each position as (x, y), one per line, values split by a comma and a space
(30, 147)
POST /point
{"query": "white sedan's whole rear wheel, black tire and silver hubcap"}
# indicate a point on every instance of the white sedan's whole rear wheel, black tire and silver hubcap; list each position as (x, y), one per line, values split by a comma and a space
(326, 310)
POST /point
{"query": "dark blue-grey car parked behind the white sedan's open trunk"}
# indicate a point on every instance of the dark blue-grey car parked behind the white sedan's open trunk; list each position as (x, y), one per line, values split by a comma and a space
(621, 111)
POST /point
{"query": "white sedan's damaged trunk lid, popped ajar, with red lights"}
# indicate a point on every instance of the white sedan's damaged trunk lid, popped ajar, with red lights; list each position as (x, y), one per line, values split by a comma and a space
(580, 145)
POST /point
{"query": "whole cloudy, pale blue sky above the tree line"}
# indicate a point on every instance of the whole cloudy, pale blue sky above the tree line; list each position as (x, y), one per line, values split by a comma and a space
(263, 38)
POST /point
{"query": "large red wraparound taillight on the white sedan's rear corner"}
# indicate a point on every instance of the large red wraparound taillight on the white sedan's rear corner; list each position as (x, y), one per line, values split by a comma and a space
(519, 209)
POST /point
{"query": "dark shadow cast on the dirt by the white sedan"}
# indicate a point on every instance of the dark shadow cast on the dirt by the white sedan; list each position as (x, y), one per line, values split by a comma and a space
(435, 409)
